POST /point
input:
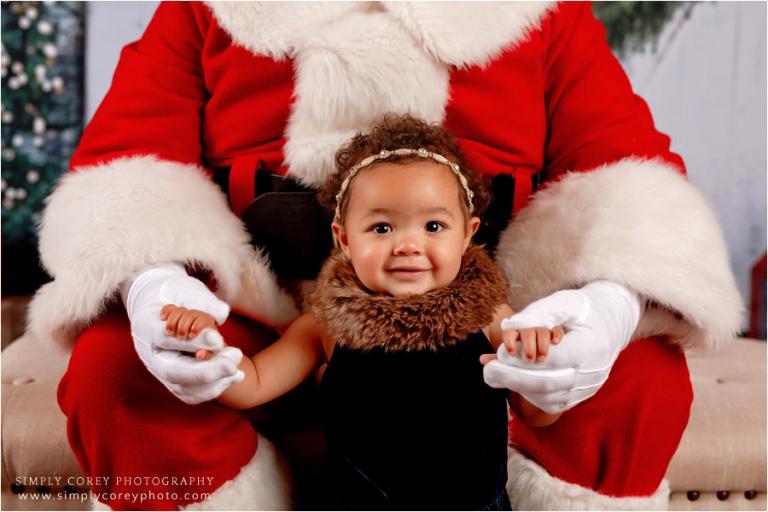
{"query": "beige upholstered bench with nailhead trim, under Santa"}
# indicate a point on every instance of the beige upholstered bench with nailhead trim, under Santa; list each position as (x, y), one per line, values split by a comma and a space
(720, 465)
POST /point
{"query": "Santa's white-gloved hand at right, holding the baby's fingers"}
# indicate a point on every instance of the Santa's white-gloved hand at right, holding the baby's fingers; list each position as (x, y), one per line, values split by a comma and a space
(599, 320)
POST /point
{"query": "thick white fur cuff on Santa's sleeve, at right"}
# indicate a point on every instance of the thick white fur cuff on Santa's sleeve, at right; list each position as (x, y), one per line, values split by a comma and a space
(637, 222)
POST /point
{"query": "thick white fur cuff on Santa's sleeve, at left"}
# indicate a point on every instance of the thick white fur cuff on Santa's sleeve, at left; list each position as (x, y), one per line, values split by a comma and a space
(103, 224)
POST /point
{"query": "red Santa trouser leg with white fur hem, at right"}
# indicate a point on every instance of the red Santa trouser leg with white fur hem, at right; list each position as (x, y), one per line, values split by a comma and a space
(611, 451)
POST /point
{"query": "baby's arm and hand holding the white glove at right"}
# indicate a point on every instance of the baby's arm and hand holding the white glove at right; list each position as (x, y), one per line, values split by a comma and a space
(536, 343)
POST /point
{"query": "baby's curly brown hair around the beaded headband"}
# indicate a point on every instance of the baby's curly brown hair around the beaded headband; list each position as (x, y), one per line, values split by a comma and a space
(395, 132)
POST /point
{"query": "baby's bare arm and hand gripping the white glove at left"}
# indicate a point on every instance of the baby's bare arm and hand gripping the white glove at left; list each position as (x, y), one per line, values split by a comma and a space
(270, 373)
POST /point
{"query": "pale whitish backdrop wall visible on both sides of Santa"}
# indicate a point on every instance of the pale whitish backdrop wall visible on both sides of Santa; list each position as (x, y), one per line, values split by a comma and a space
(706, 86)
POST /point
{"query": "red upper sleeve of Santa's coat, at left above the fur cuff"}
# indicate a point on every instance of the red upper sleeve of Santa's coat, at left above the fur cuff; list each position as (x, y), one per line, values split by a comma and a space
(155, 102)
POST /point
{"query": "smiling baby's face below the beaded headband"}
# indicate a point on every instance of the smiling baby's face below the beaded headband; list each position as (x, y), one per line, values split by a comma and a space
(405, 230)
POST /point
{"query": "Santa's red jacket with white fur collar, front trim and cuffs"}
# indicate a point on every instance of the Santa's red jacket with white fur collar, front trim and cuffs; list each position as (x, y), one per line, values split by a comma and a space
(278, 86)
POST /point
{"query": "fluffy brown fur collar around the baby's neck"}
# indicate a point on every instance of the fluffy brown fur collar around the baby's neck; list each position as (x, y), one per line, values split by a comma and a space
(358, 318)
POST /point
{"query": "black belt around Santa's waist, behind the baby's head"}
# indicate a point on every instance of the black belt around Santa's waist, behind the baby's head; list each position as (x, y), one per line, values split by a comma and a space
(286, 221)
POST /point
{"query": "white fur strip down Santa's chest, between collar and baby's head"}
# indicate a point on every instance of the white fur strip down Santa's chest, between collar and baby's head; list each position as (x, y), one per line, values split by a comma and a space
(343, 86)
